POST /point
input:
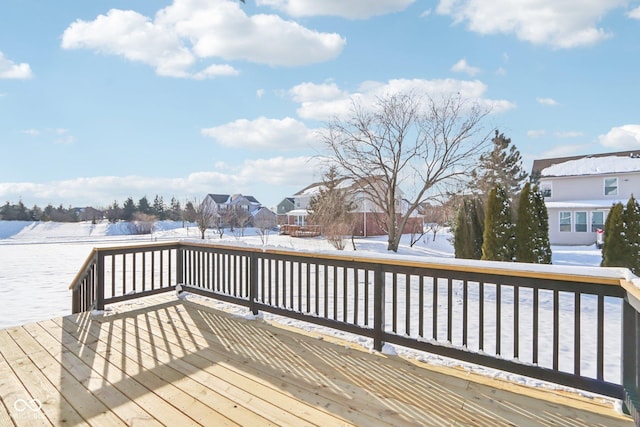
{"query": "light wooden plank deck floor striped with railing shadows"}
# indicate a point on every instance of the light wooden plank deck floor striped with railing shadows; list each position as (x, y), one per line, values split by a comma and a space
(163, 361)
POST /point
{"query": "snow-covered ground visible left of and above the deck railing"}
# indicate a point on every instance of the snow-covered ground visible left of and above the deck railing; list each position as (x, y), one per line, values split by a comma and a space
(38, 261)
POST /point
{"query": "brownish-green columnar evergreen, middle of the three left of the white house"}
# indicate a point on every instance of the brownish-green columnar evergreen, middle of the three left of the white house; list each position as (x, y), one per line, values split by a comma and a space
(498, 238)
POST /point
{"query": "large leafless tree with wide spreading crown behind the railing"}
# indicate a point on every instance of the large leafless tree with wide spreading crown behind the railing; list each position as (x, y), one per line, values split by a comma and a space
(408, 141)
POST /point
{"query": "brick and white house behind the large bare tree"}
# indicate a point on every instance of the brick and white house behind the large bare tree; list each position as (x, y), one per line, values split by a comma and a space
(369, 218)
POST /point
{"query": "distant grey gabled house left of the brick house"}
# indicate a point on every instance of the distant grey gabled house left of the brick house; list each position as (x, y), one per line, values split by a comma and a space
(228, 209)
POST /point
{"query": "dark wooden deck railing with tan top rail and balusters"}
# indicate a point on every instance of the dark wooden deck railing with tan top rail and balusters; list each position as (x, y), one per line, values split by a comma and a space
(574, 329)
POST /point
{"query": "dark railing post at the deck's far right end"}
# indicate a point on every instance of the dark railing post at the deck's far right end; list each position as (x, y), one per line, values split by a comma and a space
(630, 353)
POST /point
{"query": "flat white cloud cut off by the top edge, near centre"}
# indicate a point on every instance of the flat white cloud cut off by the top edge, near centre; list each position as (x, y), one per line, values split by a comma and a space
(351, 9)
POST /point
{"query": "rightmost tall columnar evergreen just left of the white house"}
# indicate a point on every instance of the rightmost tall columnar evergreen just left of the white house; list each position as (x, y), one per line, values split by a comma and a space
(532, 228)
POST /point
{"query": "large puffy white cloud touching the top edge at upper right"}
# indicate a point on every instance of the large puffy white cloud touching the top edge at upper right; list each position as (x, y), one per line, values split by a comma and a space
(561, 24)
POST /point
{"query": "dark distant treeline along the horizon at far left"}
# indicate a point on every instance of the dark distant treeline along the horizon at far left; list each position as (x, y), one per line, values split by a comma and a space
(129, 211)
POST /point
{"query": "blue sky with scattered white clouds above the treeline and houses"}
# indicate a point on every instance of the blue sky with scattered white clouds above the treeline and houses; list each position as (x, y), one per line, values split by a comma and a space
(100, 101)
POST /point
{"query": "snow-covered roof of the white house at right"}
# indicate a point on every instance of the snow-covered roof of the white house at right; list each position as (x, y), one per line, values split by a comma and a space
(590, 164)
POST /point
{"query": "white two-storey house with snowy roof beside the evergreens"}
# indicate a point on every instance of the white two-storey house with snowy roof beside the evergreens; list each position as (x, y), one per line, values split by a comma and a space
(580, 190)
